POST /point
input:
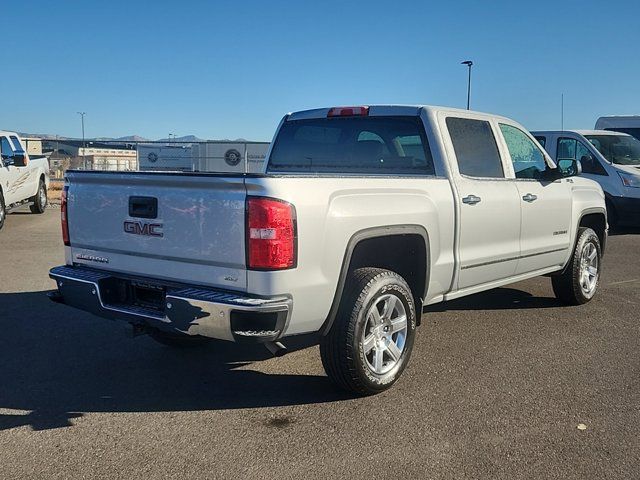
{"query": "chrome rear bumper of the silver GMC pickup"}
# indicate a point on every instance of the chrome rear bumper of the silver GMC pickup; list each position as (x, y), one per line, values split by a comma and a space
(177, 309)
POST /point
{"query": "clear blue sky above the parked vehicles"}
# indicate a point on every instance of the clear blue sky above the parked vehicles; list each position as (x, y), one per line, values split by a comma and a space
(228, 69)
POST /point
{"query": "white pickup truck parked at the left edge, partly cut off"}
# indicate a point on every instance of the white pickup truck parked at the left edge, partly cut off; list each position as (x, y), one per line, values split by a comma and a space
(23, 178)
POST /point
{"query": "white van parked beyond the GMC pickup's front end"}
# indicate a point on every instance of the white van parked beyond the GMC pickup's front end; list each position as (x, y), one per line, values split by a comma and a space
(610, 158)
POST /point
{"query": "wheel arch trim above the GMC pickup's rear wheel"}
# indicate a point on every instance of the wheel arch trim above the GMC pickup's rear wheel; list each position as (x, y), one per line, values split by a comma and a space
(366, 234)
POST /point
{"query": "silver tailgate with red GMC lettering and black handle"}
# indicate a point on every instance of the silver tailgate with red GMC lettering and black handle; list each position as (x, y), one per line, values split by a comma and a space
(178, 227)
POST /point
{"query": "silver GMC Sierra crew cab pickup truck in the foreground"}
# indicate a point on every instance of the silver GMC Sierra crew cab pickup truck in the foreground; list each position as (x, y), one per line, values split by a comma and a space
(361, 217)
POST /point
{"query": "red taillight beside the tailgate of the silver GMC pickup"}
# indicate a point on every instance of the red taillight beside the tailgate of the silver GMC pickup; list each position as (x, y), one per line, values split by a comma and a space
(271, 234)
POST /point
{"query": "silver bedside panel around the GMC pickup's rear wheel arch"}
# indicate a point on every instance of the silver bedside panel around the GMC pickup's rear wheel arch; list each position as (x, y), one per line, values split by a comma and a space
(330, 211)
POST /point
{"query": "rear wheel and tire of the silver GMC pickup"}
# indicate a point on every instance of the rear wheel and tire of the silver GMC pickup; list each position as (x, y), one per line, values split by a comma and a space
(343, 351)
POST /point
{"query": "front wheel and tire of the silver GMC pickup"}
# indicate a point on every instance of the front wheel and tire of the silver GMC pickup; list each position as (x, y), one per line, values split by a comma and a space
(569, 287)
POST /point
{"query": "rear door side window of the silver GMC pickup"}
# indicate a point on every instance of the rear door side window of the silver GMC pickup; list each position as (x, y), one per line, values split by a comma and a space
(475, 147)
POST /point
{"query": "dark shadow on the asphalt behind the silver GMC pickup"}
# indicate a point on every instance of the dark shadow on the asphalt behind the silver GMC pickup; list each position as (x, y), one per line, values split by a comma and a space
(57, 363)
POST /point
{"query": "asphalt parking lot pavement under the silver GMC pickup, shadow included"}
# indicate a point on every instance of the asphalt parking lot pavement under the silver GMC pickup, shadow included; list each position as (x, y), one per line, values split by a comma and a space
(496, 388)
